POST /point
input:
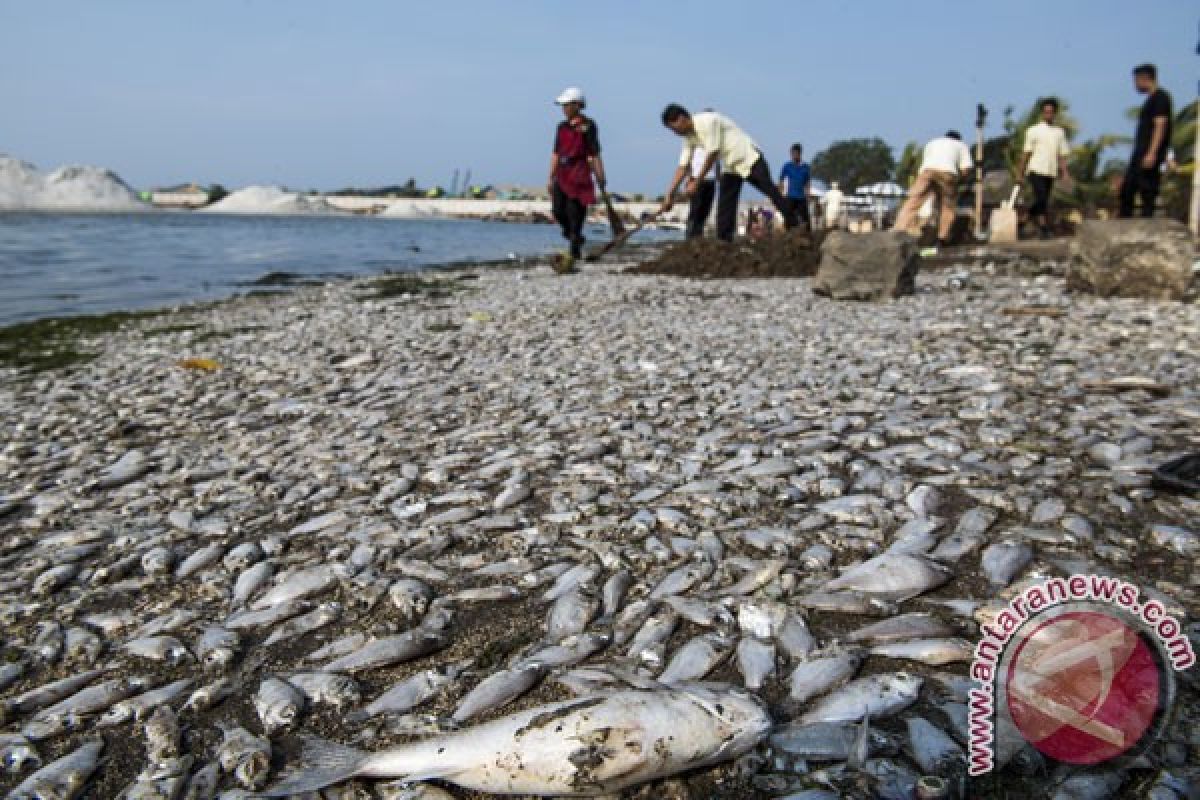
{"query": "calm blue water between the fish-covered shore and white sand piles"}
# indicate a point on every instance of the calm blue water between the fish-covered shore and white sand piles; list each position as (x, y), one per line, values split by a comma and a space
(63, 264)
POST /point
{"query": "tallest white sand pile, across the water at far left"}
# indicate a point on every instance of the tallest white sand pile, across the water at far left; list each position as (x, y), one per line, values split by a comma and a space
(23, 188)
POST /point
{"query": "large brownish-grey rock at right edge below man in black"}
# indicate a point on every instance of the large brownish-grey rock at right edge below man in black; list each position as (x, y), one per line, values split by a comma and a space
(1132, 258)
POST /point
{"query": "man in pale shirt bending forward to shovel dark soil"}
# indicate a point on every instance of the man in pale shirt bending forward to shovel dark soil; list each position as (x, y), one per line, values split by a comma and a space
(741, 163)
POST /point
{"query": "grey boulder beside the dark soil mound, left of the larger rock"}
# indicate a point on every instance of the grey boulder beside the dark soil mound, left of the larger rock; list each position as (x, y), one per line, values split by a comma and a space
(867, 267)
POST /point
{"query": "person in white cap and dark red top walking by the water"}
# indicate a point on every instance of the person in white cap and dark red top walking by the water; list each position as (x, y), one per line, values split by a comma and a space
(575, 160)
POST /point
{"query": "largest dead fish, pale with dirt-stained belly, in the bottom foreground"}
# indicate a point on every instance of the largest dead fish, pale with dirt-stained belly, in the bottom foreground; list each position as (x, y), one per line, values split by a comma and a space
(583, 748)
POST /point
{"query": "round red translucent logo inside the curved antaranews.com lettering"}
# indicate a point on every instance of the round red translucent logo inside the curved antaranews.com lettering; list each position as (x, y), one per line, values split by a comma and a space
(1084, 688)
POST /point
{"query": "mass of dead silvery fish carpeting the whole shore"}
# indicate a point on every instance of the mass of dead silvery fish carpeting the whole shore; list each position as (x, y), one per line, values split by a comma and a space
(571, 538)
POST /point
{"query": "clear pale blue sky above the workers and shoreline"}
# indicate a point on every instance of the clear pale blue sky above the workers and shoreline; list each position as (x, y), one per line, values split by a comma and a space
(368, 93)
